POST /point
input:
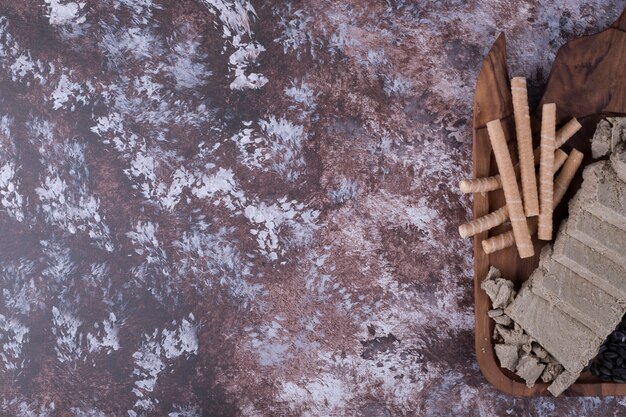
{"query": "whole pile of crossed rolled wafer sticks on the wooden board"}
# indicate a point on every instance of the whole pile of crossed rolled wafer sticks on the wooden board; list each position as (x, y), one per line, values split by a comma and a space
(529, 207)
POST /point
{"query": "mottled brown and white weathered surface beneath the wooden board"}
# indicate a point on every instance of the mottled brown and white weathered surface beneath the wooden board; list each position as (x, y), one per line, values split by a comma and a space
(250, 208)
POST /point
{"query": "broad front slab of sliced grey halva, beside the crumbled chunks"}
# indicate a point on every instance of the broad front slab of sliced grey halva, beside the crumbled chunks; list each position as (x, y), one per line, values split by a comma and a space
(569, 341)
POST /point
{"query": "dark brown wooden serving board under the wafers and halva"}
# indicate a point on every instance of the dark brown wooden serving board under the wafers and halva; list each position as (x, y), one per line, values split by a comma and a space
(587, 81)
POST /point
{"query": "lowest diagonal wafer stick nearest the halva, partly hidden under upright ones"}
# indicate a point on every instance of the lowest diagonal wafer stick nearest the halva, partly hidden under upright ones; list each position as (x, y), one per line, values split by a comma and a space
(561, 184)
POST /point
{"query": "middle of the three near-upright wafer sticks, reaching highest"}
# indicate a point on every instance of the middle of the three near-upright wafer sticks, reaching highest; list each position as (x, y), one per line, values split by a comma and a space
(525, 145)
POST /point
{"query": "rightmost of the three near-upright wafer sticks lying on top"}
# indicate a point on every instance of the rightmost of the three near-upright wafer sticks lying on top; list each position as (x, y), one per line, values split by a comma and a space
(546, 170)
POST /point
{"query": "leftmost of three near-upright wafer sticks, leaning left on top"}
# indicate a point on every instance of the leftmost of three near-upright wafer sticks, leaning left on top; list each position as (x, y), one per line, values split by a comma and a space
(511, 191)
